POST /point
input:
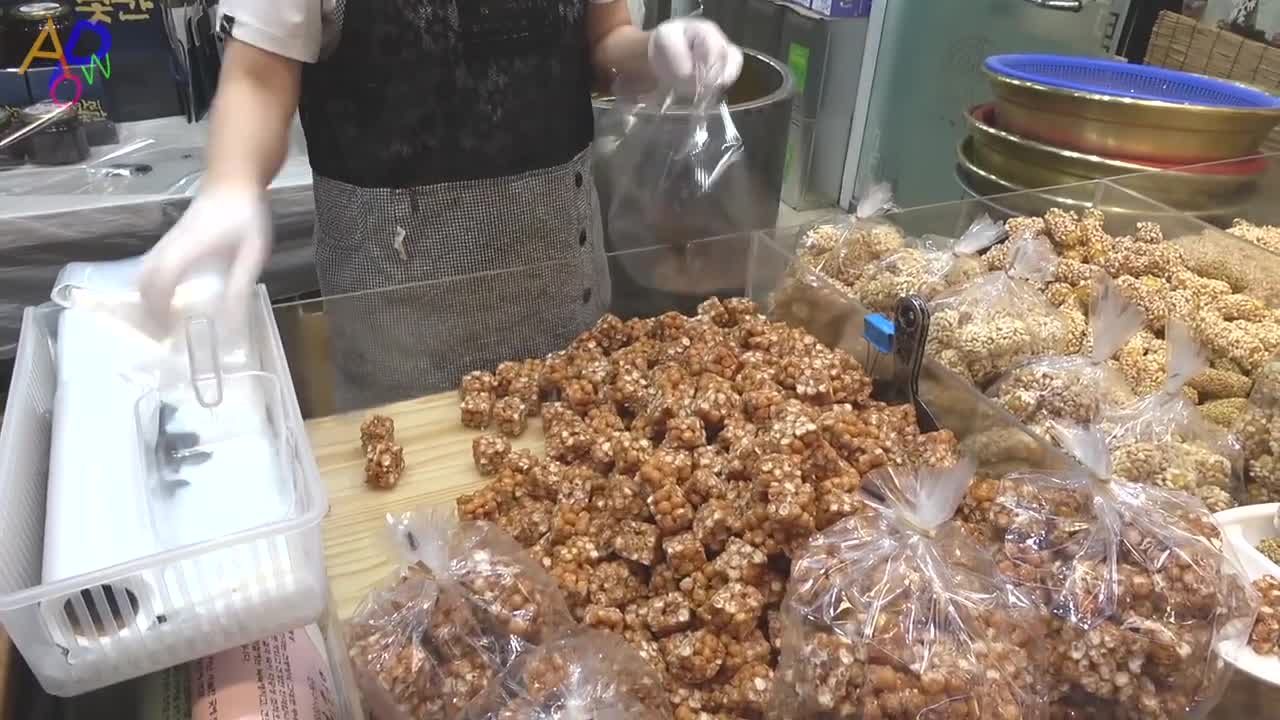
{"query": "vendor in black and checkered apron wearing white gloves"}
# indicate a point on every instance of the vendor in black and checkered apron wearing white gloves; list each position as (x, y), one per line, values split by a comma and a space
(450, 143)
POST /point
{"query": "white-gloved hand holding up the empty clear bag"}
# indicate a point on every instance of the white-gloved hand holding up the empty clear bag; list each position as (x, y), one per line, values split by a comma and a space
(693, 54)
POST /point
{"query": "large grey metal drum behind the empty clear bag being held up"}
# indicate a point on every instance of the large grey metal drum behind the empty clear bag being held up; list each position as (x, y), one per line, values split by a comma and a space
(748, 198)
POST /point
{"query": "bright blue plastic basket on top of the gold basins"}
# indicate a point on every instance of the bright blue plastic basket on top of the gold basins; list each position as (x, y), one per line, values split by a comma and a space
(1122, 80)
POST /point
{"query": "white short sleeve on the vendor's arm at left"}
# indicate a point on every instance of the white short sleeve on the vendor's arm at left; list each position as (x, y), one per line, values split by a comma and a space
(295, 29)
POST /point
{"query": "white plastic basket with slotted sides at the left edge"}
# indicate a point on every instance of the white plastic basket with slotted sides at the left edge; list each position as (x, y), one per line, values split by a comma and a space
(203, 593)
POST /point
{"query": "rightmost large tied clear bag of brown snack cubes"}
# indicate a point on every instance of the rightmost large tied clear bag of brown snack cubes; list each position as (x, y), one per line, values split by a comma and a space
(1145, 598)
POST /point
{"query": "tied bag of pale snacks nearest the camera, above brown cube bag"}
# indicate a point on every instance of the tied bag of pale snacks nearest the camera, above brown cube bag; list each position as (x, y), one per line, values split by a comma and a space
(1163, 439)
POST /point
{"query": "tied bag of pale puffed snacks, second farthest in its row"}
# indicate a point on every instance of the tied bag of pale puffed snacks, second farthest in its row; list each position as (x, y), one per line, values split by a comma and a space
(927, 267)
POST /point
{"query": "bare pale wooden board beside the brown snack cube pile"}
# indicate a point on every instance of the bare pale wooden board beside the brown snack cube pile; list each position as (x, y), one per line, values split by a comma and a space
(437, 470)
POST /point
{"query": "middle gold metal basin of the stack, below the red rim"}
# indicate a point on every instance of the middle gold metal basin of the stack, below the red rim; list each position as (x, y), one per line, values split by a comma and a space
(1028, 163)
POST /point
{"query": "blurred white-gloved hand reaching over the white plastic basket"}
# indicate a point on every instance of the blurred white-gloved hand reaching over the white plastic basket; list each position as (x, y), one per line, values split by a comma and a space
(223, 233)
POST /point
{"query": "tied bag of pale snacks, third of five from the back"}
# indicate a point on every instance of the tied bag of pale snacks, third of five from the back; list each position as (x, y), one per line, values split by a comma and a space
(986, 329)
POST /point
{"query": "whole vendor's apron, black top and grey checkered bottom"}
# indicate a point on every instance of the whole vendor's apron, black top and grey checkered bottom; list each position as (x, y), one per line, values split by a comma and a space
(456, 213)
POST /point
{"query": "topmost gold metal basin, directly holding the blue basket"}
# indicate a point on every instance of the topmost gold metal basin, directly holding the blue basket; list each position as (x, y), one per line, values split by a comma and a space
(1124, 127)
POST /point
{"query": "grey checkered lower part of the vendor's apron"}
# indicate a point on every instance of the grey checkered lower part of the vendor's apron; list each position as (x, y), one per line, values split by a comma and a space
(427, 284)
